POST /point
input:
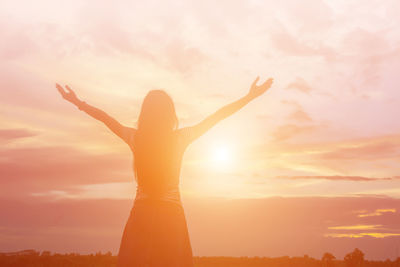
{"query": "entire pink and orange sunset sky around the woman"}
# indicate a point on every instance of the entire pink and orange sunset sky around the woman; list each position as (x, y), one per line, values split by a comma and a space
(311, 166)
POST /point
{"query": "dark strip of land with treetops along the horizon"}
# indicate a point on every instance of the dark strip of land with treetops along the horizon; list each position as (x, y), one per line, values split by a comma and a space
(33, 258)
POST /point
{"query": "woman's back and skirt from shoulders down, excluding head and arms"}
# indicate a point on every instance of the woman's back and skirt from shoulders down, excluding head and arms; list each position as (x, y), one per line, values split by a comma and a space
(156, 233)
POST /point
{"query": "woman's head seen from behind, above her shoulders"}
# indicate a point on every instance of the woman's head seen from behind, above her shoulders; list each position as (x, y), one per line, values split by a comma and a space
(157, 113)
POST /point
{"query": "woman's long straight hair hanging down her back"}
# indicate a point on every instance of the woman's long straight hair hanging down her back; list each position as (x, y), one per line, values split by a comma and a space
(157, 121)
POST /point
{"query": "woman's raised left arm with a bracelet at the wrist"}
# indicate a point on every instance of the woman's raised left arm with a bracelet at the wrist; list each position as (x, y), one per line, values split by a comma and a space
(126, 133)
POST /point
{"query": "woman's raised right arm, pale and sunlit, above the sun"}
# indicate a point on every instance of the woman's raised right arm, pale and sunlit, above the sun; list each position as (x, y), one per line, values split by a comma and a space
(193, 132)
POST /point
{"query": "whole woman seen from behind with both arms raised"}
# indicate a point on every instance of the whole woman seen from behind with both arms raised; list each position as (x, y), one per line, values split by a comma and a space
(156, 232)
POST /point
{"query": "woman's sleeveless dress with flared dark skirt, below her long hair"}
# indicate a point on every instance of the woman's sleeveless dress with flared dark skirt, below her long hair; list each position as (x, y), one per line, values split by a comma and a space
(156, 233)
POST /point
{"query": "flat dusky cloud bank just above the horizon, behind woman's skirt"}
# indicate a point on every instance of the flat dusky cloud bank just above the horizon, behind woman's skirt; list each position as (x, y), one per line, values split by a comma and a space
(265, 227)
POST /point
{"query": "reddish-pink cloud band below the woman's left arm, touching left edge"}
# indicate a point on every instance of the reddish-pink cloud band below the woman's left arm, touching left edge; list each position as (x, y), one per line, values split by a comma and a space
(37, 169)
